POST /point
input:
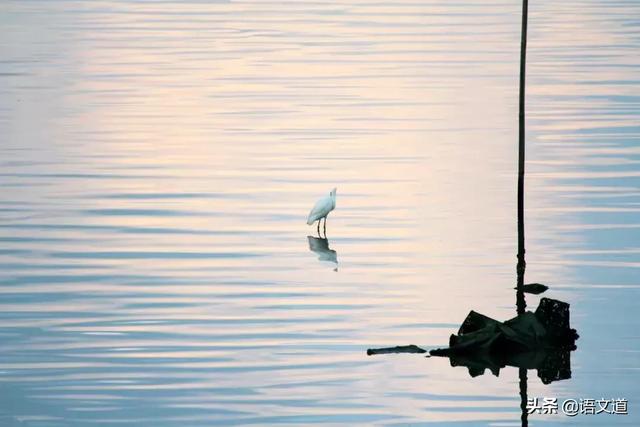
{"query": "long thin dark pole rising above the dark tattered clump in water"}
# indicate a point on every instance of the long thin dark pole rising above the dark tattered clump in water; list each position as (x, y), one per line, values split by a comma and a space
(521, 149)
